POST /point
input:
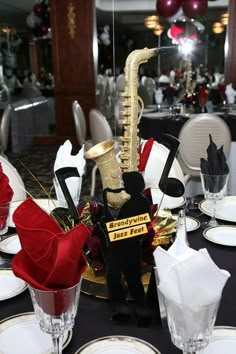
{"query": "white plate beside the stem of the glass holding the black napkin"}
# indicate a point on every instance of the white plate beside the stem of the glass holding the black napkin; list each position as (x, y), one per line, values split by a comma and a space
(225, 208)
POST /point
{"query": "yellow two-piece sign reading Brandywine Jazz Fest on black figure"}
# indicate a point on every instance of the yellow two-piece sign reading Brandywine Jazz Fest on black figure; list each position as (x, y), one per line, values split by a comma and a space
(129, 227)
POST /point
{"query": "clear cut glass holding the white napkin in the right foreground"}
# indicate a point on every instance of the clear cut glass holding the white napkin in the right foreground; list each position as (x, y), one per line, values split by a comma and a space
(190, 327)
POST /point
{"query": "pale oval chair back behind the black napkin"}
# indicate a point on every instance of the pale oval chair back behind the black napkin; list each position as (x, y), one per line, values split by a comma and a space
(194, 140)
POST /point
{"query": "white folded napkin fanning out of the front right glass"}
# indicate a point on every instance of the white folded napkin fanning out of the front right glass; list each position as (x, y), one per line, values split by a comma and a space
(187, 276)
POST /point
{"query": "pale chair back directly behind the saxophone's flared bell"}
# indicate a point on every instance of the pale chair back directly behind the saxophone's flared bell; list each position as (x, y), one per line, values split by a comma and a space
(99, 127)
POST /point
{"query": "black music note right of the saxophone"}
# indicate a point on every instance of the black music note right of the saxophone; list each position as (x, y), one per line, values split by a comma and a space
(170, 185)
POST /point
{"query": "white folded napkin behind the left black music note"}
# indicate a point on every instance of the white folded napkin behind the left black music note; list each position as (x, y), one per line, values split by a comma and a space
(65, 159)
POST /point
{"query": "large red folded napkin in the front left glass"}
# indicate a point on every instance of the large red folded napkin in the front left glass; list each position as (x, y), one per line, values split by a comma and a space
(50, 257)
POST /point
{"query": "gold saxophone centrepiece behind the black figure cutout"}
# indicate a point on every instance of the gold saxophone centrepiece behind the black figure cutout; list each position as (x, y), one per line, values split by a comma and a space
(103, 153)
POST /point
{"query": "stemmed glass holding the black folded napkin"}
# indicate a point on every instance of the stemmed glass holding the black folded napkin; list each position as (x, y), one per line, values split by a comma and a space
(214, 189)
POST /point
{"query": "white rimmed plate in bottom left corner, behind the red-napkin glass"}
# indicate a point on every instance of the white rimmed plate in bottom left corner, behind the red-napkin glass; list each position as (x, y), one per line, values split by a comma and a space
(21, 334)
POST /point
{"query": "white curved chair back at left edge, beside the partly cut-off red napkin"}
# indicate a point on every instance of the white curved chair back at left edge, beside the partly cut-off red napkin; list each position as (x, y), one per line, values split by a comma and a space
(15, 180)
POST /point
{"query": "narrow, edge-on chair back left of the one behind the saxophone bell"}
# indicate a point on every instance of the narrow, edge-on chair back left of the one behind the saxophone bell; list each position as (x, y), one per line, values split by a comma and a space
(80, 122)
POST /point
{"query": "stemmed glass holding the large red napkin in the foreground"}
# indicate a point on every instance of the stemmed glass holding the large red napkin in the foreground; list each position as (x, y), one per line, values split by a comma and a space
(56, 310)
